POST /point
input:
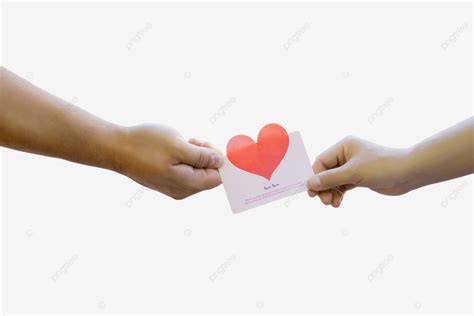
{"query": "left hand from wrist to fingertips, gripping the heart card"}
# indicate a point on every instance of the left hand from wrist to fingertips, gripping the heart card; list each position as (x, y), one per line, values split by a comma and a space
(159, 158)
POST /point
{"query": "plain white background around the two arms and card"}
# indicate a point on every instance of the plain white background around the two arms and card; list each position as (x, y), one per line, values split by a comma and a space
(133, 250)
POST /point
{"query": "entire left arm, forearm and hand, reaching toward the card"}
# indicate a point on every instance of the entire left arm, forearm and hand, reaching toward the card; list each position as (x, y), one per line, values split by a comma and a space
(155, 156)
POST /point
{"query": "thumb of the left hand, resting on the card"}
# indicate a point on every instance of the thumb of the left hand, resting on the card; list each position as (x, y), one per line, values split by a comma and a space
(200, 157)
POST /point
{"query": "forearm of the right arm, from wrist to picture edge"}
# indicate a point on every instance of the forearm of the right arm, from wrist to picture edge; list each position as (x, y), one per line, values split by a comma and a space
(444, 156)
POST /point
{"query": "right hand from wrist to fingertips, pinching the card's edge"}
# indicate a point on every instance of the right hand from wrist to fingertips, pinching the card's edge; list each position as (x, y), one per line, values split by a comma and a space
(354, 162)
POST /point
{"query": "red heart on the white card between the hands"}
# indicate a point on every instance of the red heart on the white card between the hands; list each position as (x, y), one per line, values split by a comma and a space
(263, 157)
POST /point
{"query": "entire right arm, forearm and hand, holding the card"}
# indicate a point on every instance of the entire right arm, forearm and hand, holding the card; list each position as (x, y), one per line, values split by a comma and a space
(354, 162)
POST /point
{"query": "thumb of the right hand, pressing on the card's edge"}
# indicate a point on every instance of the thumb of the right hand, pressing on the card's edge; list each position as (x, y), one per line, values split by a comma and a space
(330, 179)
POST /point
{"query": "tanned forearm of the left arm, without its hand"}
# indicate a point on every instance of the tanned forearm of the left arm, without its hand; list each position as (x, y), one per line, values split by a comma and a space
(35, 121)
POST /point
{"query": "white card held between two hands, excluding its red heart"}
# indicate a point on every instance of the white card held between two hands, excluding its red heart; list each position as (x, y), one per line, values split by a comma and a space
(246, 190)
